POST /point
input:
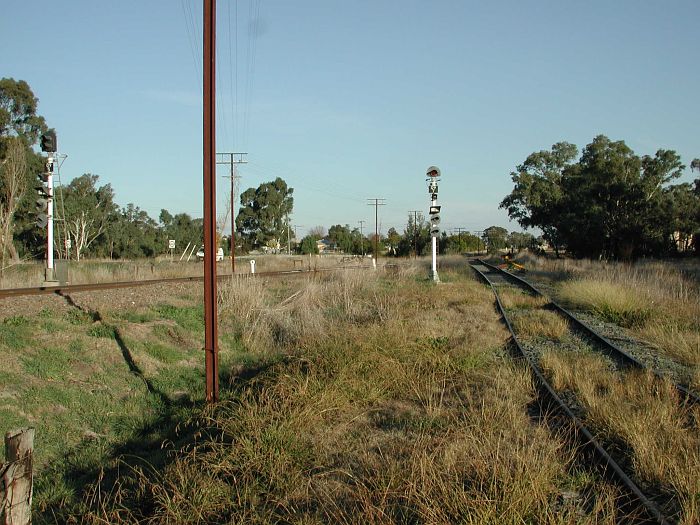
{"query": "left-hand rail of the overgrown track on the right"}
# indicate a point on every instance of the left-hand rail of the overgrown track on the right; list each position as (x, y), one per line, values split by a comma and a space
(590, 441)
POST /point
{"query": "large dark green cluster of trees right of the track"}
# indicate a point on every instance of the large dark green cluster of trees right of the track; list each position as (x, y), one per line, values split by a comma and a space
(607, 203)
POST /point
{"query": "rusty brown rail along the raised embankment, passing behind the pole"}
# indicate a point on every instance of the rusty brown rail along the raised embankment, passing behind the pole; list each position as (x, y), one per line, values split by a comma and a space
(72, 288)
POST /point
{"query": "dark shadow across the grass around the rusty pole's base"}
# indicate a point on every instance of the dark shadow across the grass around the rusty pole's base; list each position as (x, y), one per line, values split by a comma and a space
(176, 424)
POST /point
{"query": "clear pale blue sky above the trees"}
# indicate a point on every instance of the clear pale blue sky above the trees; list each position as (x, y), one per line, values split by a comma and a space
(351, 100)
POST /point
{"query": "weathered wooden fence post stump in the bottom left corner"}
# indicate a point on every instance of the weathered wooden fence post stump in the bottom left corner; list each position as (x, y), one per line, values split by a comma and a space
(16, 478)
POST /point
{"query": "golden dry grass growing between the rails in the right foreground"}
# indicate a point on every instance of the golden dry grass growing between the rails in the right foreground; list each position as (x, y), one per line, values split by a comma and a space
(643, 413)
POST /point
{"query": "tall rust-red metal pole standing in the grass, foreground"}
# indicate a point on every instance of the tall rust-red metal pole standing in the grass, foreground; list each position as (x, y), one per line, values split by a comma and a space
(210, 313)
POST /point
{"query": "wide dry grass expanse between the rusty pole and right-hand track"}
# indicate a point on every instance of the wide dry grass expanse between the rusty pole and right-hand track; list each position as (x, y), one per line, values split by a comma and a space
(392, 404)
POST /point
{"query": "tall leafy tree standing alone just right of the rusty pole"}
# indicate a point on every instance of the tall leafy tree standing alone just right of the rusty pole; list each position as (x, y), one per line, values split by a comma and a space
(261, 218)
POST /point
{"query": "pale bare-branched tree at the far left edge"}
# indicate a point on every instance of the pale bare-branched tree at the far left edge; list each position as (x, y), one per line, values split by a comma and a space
(12, 183)
